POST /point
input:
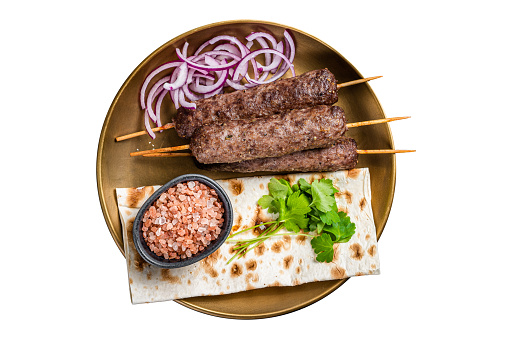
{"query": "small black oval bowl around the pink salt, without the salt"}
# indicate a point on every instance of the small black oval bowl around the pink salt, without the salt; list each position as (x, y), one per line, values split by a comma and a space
(151, 257)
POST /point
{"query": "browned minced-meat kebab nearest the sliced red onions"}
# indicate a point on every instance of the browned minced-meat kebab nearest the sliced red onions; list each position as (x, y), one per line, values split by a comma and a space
(313, 88)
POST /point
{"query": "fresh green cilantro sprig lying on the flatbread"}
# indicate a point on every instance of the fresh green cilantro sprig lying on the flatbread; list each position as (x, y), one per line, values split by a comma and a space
(308, 209)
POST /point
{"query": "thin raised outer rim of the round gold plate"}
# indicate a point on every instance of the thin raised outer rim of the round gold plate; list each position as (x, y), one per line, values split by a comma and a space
(107, 215)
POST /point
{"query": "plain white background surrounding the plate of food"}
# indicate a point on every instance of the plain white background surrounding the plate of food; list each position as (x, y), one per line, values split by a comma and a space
(444, 252)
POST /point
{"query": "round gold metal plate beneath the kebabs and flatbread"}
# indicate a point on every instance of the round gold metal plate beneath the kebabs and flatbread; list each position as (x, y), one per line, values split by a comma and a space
(115, 168)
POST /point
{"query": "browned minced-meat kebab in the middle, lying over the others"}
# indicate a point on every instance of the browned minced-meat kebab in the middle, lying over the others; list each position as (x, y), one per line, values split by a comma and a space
(272, 136)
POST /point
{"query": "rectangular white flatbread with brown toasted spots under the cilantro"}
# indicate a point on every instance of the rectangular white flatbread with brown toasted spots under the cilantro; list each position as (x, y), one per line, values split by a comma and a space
(280, 261)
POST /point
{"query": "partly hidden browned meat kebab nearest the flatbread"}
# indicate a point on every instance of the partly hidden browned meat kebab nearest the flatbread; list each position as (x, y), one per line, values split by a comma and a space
(340, 156)
